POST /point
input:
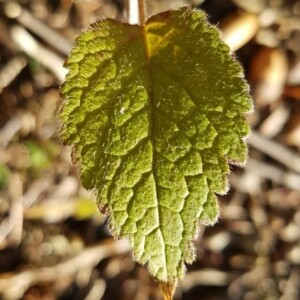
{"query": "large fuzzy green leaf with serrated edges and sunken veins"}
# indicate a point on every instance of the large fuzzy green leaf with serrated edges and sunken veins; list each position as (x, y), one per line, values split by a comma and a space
(155, 113)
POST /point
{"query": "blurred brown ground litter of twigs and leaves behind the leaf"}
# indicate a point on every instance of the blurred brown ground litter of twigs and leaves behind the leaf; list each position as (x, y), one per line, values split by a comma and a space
(54, 244)
